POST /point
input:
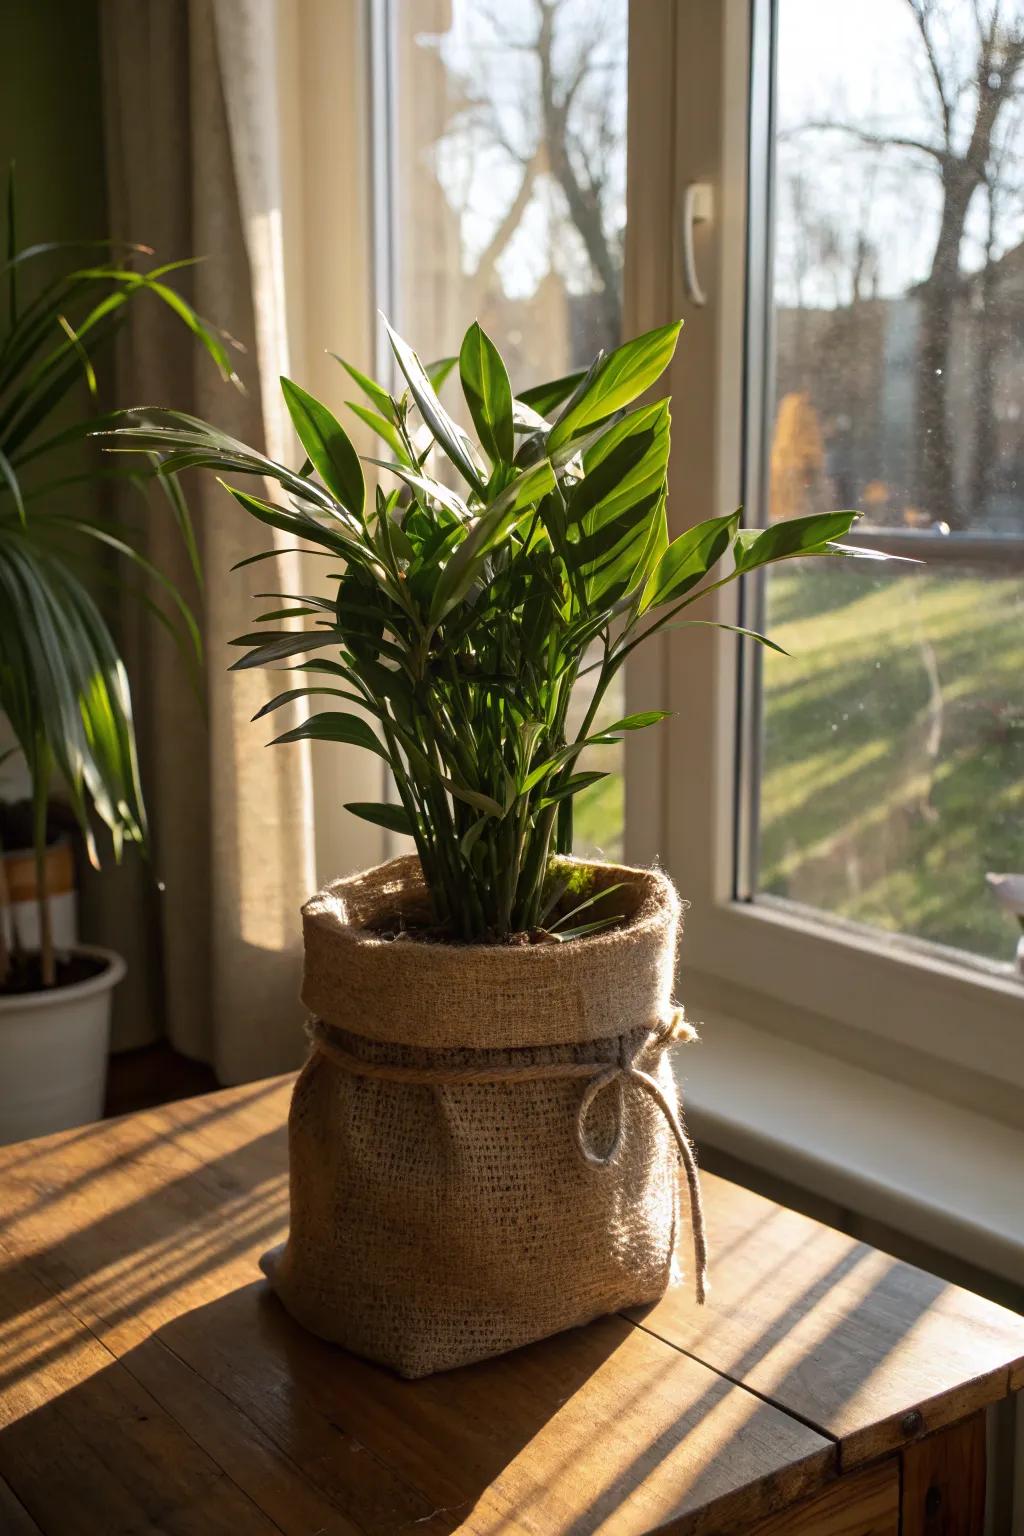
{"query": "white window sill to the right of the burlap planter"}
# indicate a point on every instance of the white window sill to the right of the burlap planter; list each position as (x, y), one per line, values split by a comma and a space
(940, 1174)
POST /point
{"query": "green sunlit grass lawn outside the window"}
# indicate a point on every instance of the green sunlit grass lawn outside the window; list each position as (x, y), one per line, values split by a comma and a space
(893, 769)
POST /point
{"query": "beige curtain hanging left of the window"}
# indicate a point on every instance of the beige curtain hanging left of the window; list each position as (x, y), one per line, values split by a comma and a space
(213, 930)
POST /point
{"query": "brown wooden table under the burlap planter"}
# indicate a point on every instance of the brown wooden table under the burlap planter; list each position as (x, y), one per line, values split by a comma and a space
(151, 1383)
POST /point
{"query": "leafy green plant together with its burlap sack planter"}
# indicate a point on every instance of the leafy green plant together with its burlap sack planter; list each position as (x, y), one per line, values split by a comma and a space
(484, 1142)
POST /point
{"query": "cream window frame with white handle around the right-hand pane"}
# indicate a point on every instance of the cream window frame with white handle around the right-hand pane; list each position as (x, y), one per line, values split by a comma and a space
(845, 988)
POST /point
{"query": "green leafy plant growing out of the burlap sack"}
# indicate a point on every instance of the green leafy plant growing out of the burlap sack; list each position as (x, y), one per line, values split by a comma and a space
(458, 623)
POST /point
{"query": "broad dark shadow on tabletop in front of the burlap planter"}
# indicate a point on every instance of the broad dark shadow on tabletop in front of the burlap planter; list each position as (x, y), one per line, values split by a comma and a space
(233, 1418)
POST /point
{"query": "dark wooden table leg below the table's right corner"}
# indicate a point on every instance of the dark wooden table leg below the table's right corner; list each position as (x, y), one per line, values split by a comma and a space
(945, 1481)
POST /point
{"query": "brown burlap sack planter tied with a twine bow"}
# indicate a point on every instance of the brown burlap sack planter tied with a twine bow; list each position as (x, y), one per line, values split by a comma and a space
(486, 1140)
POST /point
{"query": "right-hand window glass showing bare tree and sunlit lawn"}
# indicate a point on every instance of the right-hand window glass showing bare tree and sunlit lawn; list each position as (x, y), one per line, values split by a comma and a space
(893, 755)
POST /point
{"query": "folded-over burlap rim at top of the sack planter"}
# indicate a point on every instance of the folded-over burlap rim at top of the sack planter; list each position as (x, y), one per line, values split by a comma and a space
(487, 996)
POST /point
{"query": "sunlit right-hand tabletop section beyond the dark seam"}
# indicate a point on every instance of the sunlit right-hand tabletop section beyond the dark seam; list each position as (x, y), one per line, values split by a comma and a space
(870, 1351)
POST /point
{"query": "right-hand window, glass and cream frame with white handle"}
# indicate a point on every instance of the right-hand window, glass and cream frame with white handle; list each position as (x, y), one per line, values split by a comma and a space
(830, 826)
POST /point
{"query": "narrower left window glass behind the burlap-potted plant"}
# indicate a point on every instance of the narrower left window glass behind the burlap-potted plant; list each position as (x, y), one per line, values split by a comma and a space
(510, 207)
